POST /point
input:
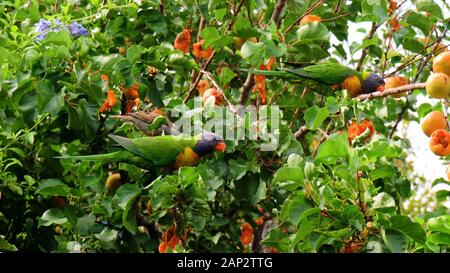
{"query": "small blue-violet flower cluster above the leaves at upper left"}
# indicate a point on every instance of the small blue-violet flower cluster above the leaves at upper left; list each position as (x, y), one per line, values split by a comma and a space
(44, 26)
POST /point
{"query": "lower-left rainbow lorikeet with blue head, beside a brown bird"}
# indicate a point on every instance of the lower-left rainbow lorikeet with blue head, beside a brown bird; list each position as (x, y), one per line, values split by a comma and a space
(158, 151)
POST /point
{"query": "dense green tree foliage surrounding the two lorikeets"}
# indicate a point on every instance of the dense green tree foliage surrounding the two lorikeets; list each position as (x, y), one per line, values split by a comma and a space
(317, 192)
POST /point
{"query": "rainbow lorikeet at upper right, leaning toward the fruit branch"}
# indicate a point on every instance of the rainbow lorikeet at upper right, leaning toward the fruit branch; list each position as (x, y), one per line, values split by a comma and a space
(331, 74)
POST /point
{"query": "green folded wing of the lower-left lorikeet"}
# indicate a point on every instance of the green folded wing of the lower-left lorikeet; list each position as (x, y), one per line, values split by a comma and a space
(161, 150)
